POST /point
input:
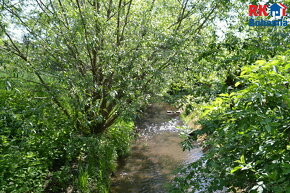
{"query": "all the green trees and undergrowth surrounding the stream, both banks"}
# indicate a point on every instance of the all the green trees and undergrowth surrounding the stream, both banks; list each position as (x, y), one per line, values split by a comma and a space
(74, 74)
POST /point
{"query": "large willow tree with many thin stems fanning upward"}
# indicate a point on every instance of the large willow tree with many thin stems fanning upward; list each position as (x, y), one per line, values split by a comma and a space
(98, 58)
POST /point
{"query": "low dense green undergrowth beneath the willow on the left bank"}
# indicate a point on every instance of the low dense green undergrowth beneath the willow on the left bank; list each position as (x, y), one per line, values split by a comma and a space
(41, 152)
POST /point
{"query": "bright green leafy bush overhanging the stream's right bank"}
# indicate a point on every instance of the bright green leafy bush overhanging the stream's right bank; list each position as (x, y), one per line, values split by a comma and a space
(248, 134)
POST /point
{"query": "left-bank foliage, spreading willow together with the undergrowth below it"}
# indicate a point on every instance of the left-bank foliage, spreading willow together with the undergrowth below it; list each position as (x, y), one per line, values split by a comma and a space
(72, 74)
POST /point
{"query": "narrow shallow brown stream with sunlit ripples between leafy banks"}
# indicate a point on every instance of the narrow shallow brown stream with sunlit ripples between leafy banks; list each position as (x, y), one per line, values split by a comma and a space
(154, 155)
